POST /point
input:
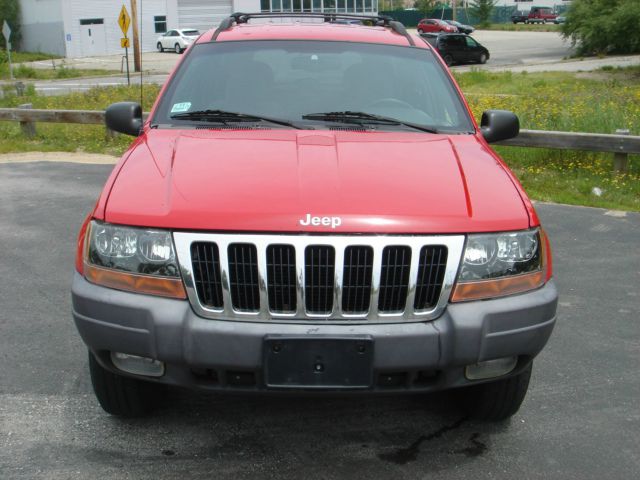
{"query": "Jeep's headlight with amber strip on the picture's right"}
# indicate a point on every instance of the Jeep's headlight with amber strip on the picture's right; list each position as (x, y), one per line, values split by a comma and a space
(501, 264)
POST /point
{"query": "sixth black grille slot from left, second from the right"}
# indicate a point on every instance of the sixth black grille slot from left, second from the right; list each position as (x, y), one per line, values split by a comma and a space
(394, 278)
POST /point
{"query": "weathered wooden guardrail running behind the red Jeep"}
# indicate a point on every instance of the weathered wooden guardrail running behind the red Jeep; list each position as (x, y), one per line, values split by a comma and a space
(620, 144)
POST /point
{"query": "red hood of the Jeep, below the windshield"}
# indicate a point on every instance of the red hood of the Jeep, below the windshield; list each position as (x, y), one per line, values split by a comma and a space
(269, 180)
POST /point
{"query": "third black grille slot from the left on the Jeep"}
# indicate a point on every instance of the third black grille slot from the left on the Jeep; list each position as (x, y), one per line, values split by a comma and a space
(281, 278)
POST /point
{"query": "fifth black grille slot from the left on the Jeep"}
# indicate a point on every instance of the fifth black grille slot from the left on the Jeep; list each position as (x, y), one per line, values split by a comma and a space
(356, 279)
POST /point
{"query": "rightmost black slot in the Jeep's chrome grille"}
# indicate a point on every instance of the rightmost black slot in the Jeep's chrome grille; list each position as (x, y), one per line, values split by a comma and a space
(431, 268)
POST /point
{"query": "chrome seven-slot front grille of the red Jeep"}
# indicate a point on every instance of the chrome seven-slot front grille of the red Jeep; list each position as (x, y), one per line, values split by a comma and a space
(296, 278)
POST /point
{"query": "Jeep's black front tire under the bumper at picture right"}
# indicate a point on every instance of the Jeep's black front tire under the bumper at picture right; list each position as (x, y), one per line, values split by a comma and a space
(497, 400)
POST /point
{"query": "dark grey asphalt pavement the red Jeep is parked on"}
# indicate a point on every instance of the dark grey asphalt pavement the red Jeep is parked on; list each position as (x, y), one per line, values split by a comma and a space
(580, 419)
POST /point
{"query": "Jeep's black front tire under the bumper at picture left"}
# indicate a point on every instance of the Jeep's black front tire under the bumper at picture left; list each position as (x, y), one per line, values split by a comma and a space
(119, 395)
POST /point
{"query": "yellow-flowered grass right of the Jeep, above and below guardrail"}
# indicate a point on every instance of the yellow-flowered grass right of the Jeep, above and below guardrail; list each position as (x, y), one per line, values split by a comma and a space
(583, 102)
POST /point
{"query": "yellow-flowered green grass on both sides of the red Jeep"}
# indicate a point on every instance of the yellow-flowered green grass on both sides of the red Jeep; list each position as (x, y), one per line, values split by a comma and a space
(598, 102)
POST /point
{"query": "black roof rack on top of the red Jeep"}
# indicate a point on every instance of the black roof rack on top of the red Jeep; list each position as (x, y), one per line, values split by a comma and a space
(379, 20)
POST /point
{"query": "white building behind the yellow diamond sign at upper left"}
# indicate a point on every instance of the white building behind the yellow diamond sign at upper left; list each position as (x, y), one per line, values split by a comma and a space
(81, 28)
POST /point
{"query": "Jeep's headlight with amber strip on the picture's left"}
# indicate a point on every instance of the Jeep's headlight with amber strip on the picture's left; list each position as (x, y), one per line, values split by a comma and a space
(134, 259)
